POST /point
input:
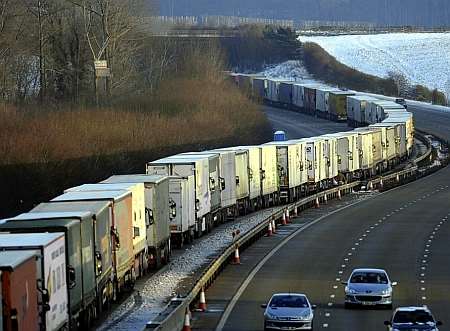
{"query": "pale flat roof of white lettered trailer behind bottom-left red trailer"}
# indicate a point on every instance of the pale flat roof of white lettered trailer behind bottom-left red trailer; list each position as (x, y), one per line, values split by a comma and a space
(28, 239)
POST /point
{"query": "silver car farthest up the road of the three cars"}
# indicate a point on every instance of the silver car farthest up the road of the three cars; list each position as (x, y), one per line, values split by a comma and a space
(368, 287)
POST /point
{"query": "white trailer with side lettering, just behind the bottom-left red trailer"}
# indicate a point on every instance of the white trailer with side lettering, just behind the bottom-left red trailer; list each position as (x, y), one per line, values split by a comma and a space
(50, 251)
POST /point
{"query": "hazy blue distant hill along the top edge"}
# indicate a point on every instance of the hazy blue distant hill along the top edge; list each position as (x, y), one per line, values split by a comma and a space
(382, 12)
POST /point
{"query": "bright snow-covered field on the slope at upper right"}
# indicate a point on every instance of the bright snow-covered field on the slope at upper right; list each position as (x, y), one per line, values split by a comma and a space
(424, 58)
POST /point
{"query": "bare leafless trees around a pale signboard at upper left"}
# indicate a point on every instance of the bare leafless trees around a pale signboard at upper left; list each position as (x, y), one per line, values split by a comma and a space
(76, 50)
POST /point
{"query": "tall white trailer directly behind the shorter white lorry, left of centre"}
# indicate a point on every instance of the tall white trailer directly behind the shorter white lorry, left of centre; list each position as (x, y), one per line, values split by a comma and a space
(184, 167)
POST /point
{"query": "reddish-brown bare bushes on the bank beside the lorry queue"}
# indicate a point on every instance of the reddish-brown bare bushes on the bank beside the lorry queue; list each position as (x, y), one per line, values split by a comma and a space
(48, 148)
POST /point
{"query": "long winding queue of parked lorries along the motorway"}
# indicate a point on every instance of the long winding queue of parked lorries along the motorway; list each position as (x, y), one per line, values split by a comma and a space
(78, 252)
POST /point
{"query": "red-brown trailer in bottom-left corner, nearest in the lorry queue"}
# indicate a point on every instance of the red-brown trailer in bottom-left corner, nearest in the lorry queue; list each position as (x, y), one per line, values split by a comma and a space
(18, 291)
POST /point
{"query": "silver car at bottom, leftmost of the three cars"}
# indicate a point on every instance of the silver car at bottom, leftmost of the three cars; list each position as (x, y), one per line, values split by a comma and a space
(288, 311)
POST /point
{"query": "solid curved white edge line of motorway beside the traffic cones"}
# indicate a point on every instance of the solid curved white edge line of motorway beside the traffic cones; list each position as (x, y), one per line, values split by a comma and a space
(252, 274)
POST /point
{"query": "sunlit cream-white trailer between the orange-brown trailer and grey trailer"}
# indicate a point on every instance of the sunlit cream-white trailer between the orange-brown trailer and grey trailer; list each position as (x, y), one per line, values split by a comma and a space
(138, 208)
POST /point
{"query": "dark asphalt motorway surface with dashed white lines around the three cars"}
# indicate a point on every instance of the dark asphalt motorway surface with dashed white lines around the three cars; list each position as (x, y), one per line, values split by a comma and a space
(404, 231)
